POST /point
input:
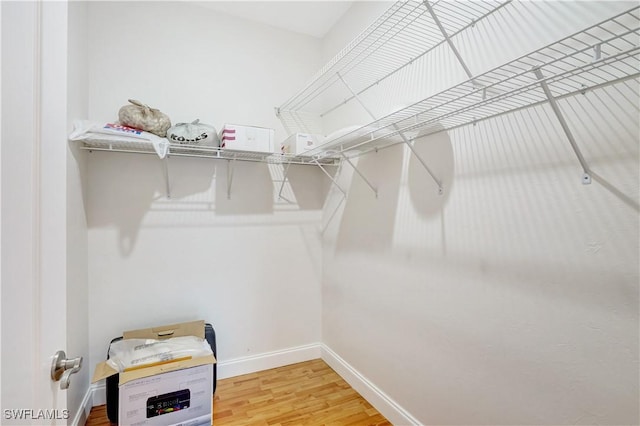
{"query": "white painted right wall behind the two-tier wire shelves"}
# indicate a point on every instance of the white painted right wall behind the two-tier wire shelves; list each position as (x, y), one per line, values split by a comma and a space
(513, 297)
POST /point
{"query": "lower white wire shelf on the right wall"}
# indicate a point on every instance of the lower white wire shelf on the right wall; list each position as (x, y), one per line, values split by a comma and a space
(603, 54)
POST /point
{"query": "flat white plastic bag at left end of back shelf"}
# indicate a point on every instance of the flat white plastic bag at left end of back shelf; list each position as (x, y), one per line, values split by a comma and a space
(88, 131)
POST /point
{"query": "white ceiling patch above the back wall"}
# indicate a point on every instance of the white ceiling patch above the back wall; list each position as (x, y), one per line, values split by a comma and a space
(314, 18)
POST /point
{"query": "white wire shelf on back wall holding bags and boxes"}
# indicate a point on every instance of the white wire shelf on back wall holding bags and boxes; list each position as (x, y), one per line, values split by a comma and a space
(196, 151)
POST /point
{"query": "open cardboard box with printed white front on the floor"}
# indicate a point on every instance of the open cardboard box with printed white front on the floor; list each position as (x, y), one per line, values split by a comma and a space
(169, 393)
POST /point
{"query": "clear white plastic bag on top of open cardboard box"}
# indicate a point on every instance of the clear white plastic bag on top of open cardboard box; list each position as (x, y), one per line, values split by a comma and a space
(132, 353)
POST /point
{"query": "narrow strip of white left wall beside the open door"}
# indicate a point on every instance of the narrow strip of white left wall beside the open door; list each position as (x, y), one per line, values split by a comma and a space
(76, 224)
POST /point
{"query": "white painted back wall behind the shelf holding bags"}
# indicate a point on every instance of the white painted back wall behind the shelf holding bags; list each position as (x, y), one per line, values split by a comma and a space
(250, 263)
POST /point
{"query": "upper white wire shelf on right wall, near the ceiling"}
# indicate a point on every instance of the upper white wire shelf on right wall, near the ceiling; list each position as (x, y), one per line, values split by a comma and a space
(404, 33)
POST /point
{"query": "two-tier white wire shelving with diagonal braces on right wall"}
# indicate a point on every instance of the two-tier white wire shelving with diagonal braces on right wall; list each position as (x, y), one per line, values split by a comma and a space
(600, 55)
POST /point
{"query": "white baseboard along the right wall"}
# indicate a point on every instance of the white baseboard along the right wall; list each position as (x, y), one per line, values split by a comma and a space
(376, 397)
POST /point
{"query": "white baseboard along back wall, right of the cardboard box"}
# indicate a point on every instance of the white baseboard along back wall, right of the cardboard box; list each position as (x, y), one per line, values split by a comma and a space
(264, 361)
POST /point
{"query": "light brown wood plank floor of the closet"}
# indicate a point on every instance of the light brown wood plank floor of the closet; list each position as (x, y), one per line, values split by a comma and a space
(308, 393)
